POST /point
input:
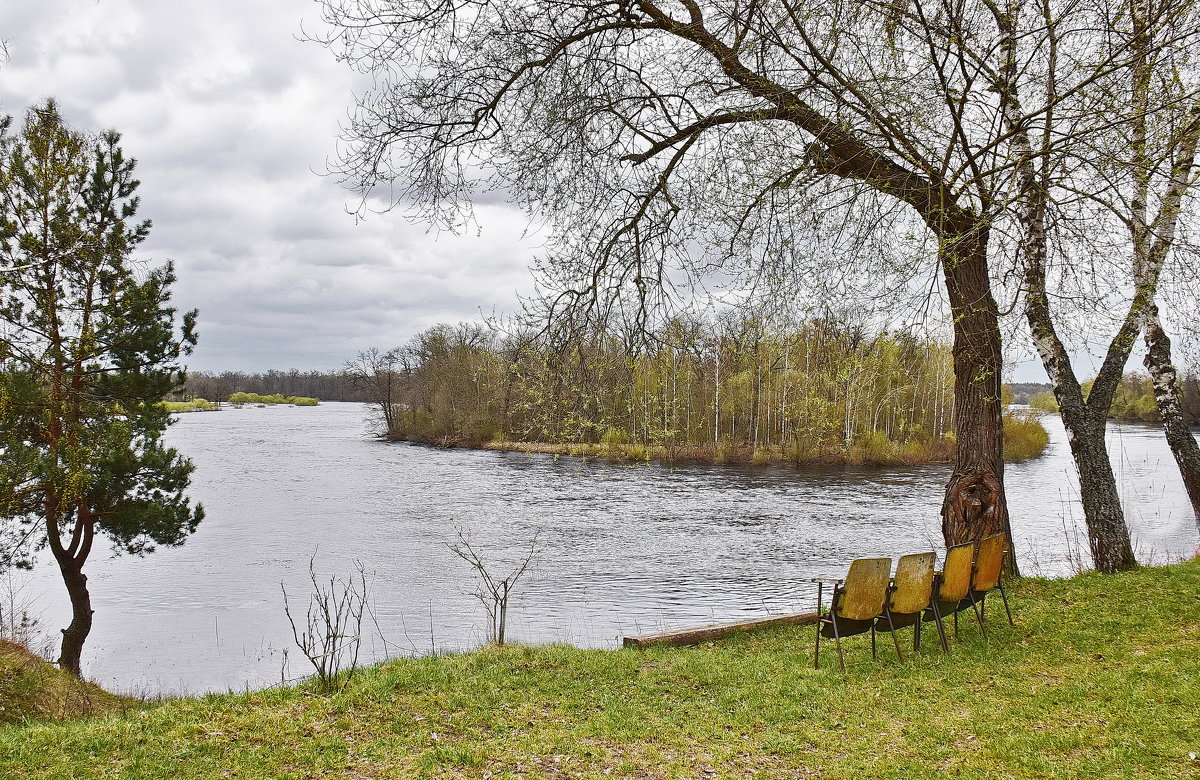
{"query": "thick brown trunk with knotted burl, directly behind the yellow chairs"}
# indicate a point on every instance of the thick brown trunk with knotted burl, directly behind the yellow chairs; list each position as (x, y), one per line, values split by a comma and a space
(975, 505)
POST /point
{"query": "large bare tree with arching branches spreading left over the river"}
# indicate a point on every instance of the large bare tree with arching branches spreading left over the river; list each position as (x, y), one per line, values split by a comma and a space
(669, 140)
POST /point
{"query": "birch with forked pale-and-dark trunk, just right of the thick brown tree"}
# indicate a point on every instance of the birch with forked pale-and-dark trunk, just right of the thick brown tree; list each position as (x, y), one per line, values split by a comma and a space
(1105, 98)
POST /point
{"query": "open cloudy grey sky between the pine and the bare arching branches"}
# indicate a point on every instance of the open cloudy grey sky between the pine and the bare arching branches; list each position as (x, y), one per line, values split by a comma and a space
(230, 117)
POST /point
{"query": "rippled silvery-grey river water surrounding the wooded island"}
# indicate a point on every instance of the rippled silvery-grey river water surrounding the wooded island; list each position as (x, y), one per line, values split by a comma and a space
(625, 549)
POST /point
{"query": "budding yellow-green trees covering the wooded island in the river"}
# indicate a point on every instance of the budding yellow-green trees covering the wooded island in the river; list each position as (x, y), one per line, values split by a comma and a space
(735, 388)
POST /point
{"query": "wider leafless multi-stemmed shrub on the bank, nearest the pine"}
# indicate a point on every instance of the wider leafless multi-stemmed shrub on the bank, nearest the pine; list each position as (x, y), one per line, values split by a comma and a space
(331, 639)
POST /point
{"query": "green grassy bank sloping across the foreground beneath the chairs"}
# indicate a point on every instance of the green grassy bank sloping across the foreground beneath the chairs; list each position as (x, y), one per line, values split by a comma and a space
(1100, 680)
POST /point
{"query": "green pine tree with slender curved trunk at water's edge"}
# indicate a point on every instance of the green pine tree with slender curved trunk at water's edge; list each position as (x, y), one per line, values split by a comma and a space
(88, 350)
